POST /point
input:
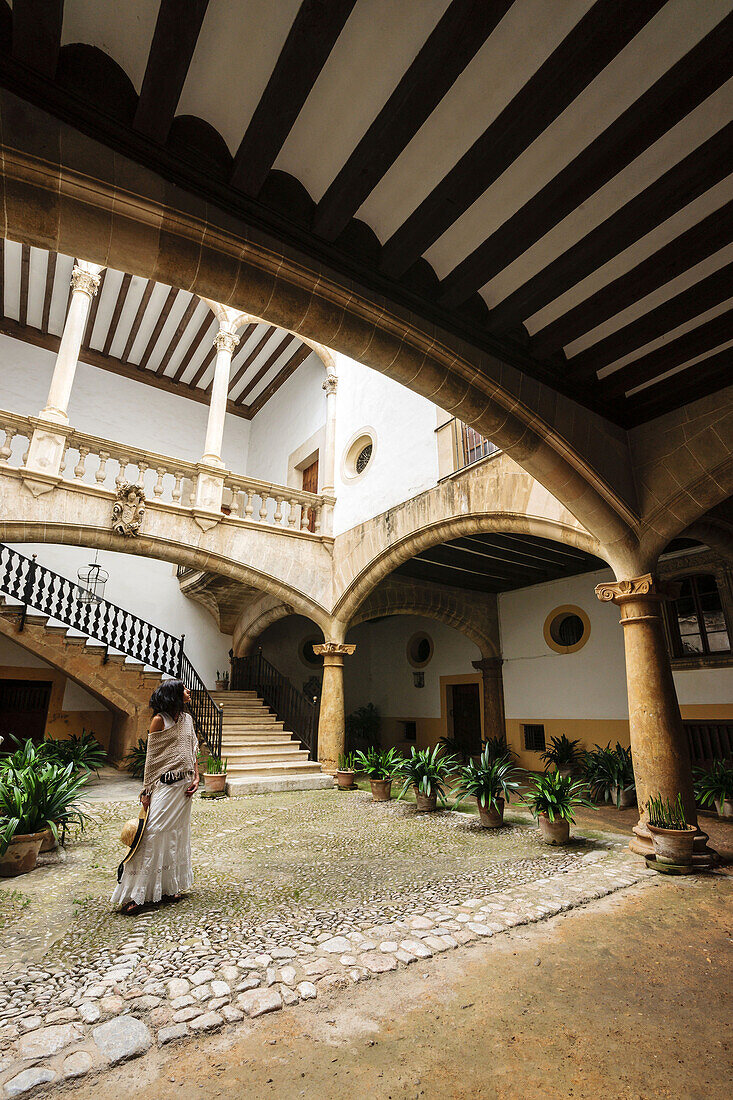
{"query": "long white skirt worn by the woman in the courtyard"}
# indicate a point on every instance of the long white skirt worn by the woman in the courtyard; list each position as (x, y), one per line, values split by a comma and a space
(162, 863)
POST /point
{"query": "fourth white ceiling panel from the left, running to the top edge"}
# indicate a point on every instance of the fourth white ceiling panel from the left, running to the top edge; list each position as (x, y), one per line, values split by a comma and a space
(520, 45)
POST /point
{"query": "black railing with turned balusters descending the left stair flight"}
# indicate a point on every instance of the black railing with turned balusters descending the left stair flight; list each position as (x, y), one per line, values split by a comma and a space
(39, 588)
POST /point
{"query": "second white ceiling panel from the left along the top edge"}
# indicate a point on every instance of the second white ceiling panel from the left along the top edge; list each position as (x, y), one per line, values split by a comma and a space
(237, 50)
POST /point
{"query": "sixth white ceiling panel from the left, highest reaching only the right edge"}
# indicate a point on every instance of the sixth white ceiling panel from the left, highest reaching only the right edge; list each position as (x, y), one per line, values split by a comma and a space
(669, 151)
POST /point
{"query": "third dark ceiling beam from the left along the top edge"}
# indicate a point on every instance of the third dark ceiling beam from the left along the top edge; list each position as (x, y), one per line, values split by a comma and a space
(311, 40)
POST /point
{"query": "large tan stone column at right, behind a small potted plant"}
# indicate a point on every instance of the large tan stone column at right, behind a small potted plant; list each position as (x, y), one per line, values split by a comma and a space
(662, 760)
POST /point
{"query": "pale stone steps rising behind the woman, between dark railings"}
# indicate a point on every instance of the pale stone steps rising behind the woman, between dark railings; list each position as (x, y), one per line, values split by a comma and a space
(261, 755)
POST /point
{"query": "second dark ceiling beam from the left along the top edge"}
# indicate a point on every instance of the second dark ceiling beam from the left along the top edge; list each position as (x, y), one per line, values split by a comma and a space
(174, 41)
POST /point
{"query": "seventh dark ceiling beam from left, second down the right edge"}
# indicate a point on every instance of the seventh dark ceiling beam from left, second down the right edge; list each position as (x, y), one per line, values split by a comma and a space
(676, 189)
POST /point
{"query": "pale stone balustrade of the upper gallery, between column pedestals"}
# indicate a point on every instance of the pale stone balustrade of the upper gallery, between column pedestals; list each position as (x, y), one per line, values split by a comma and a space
(94, 461)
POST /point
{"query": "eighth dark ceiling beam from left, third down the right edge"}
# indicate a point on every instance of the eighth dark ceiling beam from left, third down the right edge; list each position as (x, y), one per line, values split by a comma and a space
(687, 250)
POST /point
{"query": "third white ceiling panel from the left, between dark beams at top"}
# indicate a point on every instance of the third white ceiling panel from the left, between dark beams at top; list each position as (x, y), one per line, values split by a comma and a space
(363, 71)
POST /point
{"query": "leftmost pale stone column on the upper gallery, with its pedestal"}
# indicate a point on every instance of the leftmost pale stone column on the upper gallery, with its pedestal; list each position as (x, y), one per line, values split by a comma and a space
(51, 428)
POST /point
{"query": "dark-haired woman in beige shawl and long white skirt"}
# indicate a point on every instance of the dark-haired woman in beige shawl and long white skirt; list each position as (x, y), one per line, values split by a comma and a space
(161, 867)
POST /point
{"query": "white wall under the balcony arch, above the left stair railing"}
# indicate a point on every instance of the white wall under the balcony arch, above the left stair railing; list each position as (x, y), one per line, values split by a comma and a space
(150, 589)
